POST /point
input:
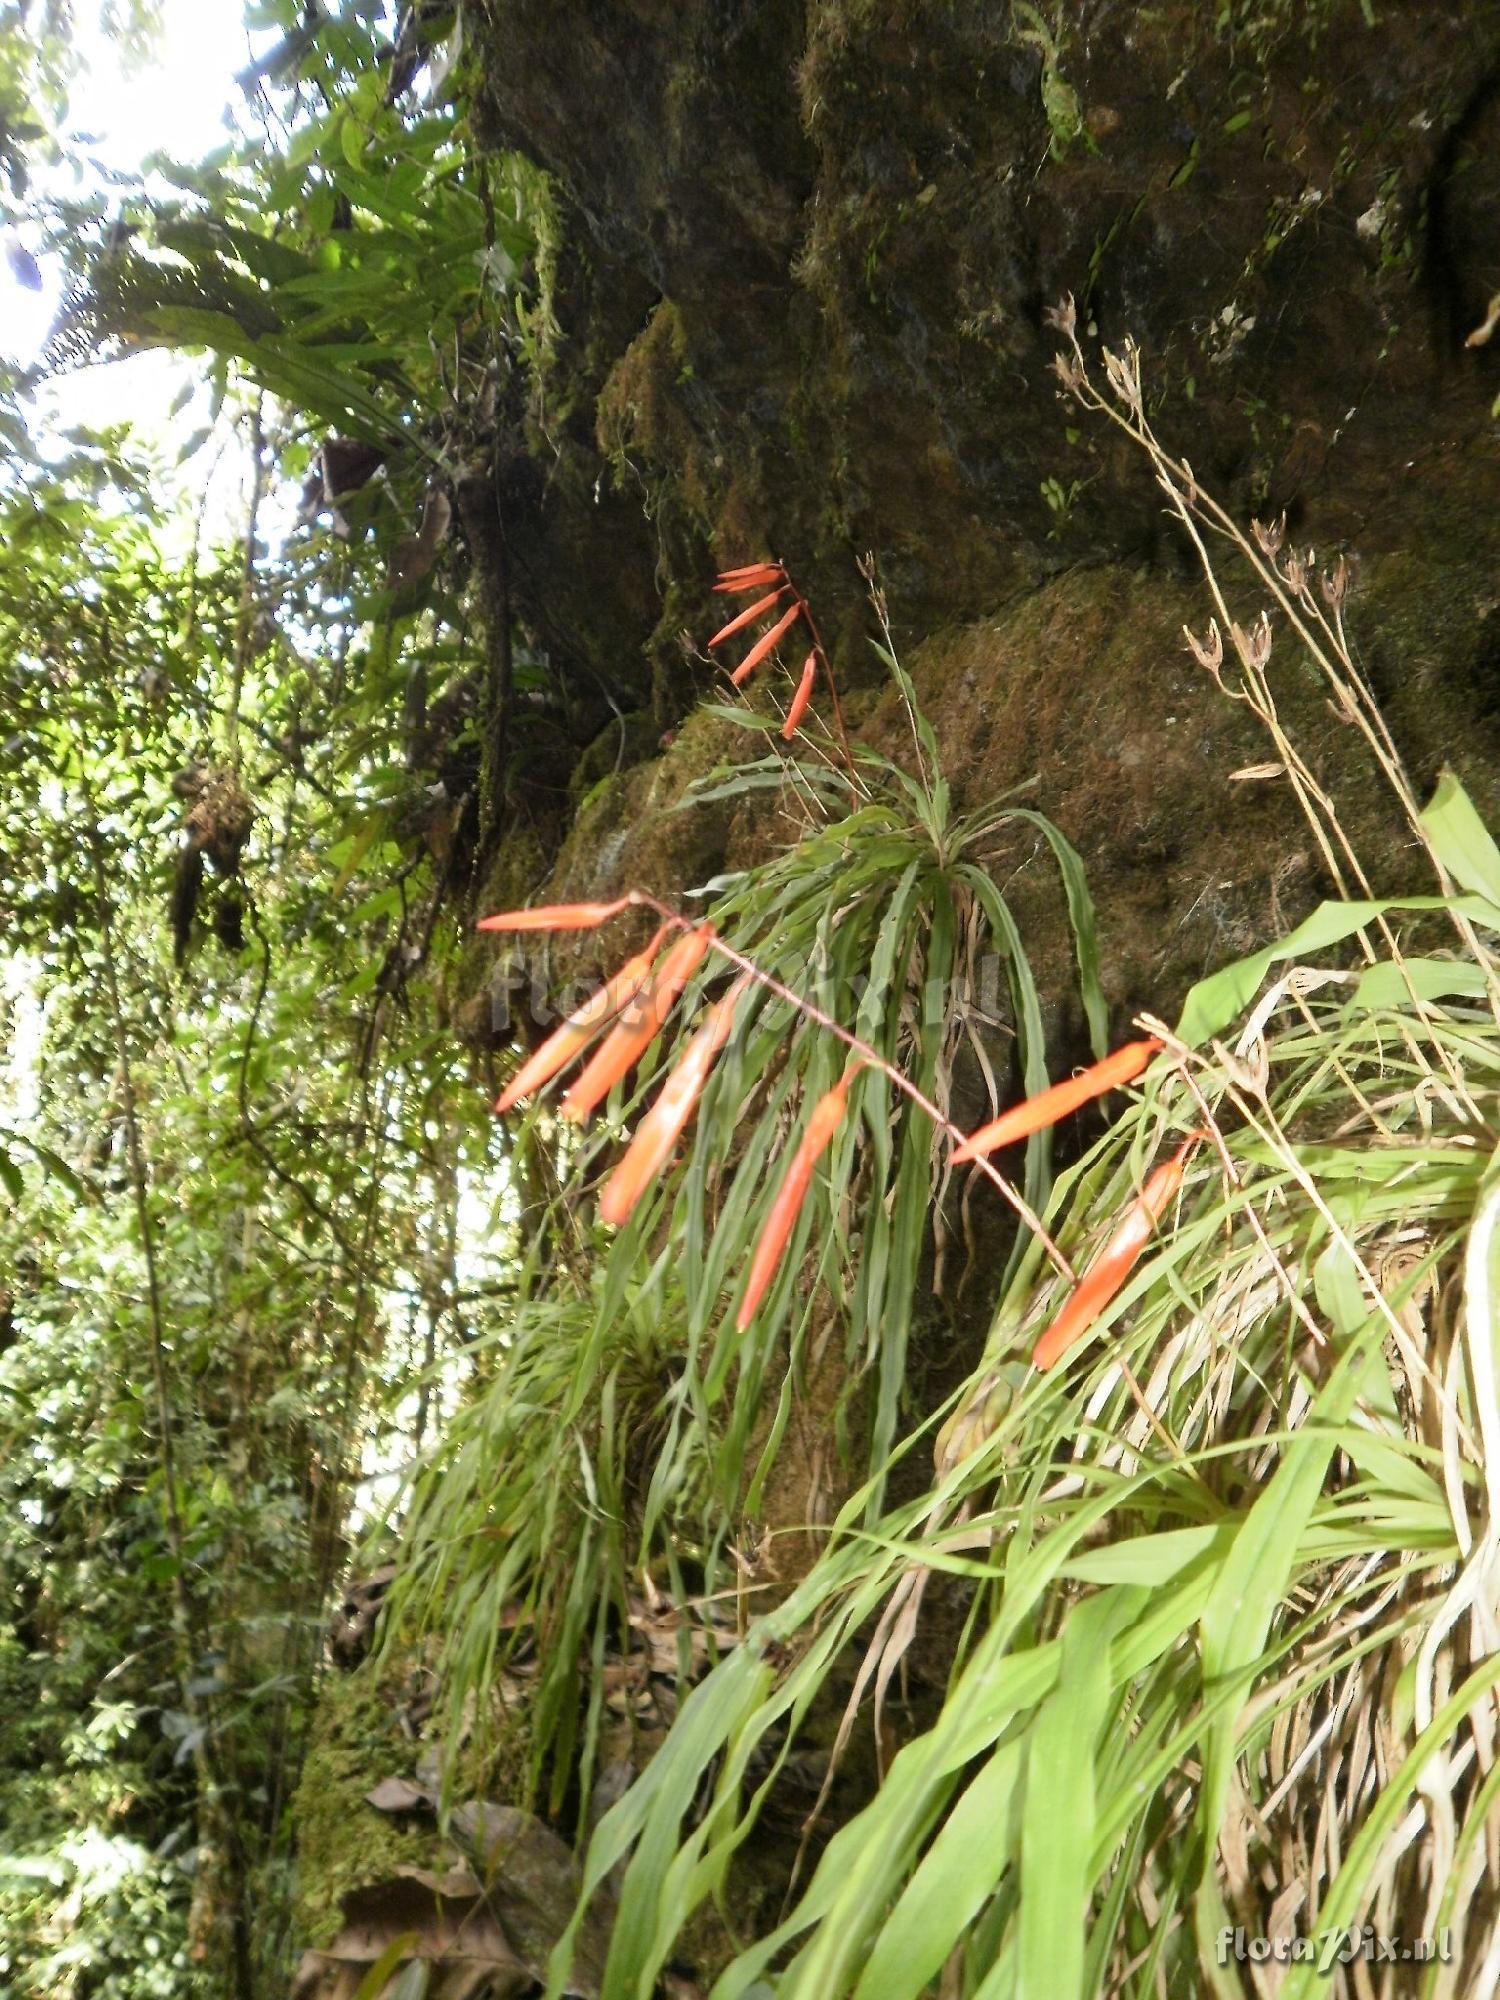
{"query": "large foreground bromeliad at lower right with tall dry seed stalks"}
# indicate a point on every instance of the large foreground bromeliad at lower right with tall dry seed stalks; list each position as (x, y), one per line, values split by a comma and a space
(1233, 1651)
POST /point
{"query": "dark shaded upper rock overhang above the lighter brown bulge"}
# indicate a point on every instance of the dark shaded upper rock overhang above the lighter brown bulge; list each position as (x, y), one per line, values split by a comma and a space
(811, 253)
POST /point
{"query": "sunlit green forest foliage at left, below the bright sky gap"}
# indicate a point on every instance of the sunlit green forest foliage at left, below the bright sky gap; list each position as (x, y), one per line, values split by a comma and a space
(269, 1113)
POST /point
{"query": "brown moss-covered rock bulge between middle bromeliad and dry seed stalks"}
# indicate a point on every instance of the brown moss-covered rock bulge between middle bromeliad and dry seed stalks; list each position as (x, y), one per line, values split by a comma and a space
(1081, 693)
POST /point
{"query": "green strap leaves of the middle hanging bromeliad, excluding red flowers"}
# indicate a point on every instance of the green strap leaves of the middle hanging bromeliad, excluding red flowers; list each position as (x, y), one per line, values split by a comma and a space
(889, 921)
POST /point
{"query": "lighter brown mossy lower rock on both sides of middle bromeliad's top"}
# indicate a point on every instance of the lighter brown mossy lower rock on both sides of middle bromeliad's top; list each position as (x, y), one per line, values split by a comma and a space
(1083, 695)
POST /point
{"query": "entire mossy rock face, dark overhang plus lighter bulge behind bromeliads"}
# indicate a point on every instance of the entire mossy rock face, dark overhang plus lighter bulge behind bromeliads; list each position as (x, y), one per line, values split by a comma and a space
(801, 263)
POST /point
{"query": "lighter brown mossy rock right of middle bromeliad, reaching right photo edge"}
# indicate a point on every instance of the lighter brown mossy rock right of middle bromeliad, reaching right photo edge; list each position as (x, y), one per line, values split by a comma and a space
(1087, 705)
